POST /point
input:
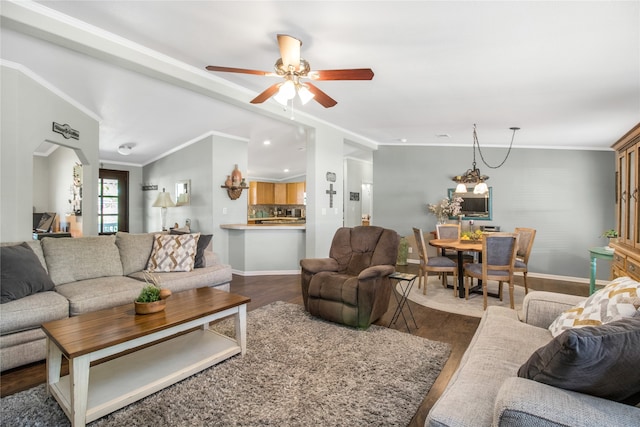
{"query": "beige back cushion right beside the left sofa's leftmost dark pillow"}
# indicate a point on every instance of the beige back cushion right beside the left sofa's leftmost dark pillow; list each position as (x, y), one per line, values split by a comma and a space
(73, 259)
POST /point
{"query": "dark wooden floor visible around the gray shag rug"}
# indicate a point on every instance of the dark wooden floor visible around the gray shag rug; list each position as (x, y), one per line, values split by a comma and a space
(435, 325)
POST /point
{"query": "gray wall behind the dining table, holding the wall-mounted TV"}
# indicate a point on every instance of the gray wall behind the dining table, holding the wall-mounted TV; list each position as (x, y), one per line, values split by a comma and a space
(567, 196)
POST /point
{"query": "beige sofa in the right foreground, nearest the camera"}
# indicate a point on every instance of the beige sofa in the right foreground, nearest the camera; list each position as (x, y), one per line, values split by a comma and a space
(487, 391)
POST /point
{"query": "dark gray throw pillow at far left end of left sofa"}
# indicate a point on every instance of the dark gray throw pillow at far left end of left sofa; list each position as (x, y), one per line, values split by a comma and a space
(21, 273)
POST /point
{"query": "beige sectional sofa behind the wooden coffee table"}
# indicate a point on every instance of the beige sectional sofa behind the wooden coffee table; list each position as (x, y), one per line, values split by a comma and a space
(89, 274)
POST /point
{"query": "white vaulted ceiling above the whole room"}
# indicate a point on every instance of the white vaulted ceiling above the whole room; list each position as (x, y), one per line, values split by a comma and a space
(566, 72)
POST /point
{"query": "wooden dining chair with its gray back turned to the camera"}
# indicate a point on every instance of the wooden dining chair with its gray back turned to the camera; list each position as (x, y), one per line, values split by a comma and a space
(498, 260)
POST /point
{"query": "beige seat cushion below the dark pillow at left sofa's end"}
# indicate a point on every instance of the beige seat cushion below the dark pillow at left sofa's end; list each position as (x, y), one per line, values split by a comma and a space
(32, 311)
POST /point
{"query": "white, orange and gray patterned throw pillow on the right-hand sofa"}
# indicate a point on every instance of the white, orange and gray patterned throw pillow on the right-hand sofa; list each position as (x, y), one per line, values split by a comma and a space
(613, 302)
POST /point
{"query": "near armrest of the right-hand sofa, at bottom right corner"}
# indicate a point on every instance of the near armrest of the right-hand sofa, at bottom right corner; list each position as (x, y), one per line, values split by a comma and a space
(522, 402)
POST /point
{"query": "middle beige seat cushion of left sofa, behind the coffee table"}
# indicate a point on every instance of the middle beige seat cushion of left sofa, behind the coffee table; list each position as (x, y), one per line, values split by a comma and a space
(96, 294)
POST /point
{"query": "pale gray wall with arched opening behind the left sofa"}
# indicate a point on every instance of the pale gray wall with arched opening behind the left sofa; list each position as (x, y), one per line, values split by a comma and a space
(28, 109)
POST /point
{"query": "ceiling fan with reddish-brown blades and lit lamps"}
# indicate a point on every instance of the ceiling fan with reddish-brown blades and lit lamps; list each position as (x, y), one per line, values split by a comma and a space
(293, 69)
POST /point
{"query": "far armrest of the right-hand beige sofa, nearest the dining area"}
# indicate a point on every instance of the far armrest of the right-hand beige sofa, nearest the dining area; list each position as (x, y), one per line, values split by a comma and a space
(540, 308)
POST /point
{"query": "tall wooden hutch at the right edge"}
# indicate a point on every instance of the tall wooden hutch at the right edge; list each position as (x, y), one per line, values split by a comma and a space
(626, 259)
